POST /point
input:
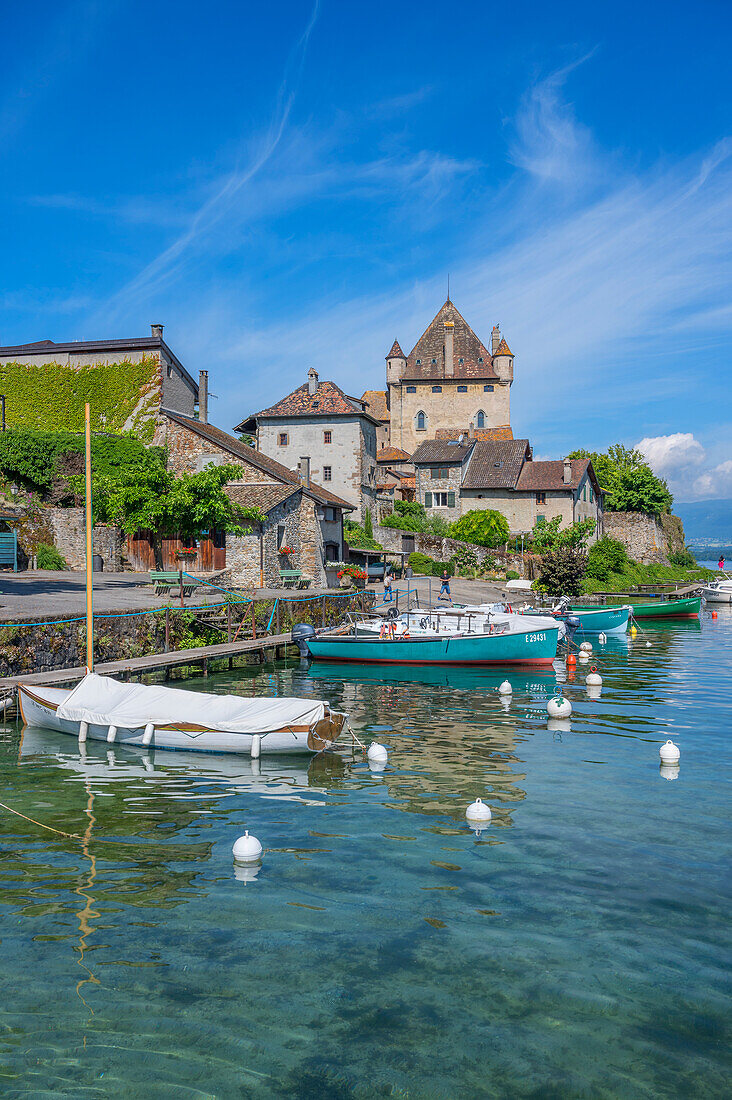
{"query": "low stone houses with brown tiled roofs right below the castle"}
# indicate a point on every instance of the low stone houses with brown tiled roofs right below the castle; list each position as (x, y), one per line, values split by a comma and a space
(454, 478)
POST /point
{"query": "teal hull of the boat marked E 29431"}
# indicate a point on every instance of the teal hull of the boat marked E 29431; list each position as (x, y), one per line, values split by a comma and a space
(530, 647)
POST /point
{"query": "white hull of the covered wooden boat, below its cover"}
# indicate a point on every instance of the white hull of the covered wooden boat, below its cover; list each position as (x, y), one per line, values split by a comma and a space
(39, 708)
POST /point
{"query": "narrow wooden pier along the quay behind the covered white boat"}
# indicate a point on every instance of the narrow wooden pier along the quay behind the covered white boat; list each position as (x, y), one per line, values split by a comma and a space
(137, 666)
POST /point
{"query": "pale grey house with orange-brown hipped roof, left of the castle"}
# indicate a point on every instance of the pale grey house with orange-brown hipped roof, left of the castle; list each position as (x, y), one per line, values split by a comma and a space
(321, 425)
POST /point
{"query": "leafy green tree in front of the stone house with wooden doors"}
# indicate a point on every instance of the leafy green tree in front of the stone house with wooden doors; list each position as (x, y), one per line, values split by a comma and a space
(149, 498)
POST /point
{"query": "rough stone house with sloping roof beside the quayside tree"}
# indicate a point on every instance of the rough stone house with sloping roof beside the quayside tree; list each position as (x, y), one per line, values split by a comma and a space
(302, 518)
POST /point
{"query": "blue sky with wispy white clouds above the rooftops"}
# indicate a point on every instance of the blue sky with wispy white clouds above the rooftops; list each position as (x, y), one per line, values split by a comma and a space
(289, 185)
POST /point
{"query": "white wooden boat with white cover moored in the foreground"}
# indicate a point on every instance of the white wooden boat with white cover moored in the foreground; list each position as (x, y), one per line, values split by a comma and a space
(105, 710)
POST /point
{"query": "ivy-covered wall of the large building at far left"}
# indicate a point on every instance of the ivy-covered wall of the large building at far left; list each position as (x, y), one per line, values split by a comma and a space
(123, 397)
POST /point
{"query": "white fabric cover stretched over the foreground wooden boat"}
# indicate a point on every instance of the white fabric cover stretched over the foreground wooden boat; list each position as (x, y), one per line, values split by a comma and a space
(103, 701)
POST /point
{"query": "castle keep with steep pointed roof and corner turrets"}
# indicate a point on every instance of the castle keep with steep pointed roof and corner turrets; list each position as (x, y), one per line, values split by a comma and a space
(450, 378)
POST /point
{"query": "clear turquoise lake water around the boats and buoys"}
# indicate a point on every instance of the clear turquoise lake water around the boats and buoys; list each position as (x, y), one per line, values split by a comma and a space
(578, 948)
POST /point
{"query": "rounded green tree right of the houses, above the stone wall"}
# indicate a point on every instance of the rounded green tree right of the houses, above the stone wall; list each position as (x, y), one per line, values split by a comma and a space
(628, 481)
